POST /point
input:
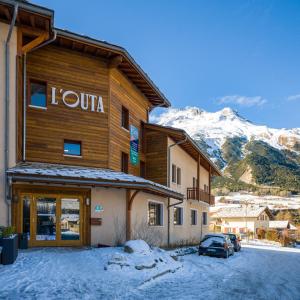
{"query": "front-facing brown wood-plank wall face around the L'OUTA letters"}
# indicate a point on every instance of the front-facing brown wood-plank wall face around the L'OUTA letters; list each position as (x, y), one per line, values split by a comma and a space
(48, 128)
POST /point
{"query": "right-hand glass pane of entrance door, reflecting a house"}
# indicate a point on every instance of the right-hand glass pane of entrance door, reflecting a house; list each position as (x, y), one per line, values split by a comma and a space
(70, 218)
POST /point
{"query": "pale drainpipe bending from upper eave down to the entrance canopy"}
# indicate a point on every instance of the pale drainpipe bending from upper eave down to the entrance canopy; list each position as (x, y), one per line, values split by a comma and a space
(25, 89)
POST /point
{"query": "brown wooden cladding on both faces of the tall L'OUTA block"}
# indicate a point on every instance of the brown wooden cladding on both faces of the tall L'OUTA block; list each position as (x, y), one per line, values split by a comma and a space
(101, 135)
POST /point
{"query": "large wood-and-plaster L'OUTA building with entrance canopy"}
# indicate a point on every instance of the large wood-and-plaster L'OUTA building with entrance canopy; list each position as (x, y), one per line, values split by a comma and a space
(80, 162)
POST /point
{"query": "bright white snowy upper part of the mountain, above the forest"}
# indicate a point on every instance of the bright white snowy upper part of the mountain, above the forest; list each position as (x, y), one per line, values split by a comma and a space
(214, 128)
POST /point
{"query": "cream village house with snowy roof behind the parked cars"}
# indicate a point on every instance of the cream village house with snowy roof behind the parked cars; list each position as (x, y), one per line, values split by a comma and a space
(241, 220)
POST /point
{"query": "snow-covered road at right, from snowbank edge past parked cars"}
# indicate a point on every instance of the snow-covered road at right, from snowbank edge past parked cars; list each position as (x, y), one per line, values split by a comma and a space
(251, 274)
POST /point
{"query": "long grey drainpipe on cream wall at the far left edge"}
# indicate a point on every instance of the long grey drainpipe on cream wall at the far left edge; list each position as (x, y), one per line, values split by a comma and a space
(6, 115)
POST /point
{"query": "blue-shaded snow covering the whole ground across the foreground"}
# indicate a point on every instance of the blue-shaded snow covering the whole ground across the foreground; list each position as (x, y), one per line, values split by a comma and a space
(64, 273)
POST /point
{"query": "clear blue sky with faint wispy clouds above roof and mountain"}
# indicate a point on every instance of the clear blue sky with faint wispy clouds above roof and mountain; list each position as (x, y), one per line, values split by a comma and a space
(210, 54)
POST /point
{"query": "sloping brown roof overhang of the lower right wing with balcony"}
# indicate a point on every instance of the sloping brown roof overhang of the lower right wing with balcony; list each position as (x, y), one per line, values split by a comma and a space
(188, 145)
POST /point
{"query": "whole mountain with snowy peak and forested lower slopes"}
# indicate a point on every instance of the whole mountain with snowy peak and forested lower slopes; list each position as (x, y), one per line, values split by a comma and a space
(247, 152)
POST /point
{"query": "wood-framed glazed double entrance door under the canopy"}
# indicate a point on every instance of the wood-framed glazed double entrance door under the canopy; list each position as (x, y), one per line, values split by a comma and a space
(53, 220)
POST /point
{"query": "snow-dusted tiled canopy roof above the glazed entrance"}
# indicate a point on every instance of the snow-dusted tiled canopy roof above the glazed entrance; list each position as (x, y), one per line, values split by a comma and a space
(64, 174)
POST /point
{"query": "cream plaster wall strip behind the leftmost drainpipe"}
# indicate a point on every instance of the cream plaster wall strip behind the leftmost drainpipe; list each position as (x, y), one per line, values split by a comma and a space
(12, 108)
